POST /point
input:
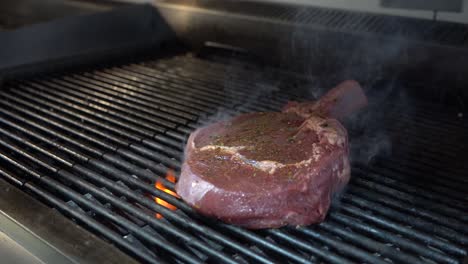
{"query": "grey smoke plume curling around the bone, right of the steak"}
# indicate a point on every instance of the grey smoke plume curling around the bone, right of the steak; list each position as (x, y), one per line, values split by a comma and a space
(375, 61)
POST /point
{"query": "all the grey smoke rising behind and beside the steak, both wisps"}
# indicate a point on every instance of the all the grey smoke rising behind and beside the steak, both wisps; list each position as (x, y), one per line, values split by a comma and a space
(327, 59)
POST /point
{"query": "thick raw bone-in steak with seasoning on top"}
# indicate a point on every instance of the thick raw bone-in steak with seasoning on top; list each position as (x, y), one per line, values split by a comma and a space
(270, 169)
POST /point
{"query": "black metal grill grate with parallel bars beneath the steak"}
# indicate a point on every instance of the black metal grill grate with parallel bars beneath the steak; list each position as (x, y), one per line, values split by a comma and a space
(92, 145)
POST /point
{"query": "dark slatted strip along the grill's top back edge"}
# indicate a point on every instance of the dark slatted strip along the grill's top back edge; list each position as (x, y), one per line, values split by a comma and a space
(349, 21)
